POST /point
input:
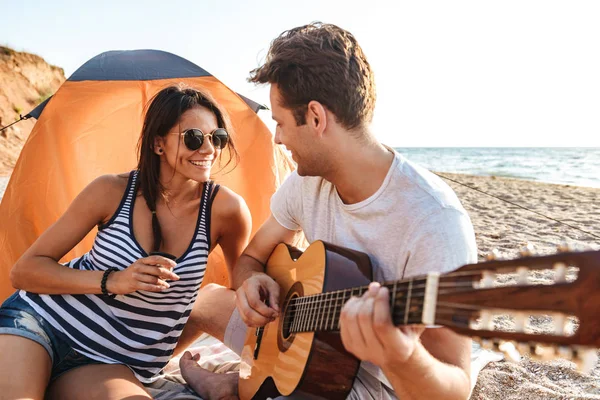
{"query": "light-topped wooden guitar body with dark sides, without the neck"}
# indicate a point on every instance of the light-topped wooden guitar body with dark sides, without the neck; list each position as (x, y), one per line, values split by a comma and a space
(308, 363)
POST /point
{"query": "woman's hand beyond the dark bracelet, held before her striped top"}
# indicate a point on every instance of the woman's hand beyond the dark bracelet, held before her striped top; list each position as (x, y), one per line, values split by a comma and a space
(149, 273)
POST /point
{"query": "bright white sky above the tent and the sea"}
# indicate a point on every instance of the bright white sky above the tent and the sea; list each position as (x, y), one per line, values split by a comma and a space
(458, 73)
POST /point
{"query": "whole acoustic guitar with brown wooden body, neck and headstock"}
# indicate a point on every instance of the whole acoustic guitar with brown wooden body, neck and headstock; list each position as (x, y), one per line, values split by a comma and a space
(301, 351)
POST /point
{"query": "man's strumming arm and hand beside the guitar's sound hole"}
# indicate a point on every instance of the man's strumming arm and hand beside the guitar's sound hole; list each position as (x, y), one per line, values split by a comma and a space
(254, 287)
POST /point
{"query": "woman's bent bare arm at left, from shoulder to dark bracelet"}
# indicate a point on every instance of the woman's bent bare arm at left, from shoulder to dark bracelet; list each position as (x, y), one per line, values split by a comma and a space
(38, 269)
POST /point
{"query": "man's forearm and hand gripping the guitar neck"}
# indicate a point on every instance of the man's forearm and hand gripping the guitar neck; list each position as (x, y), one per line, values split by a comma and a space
(420, 364)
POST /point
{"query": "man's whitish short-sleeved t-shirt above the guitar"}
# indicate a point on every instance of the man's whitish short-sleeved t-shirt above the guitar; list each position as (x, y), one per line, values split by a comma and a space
(413, 224)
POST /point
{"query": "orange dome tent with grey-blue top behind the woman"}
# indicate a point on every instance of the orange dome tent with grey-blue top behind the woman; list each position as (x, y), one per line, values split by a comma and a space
(91, 127)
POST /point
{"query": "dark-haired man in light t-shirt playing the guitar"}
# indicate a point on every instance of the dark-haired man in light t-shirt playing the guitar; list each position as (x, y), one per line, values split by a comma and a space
(352, 191)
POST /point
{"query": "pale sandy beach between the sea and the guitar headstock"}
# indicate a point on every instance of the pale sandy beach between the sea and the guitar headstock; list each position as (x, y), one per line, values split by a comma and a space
(508, 228)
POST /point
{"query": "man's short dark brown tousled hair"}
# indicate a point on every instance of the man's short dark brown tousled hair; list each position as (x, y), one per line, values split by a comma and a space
(320, 62)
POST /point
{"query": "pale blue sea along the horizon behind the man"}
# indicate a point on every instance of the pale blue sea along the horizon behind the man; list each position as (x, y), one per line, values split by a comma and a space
(578, 166)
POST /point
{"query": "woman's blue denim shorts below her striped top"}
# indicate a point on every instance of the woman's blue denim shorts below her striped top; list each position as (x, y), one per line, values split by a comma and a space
(18, 318)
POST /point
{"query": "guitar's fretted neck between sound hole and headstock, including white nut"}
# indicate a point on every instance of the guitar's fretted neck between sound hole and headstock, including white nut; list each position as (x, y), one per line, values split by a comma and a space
(412, 301)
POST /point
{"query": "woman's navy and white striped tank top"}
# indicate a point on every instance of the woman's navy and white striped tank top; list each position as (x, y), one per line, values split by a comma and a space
(139, 329)
